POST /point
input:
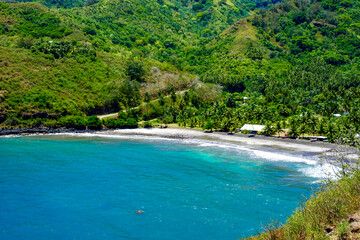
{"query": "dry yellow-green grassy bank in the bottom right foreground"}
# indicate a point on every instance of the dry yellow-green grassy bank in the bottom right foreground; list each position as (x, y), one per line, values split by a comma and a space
(324, 216)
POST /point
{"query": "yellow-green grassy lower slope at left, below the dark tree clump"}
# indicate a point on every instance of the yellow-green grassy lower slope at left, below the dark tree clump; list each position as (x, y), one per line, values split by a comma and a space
(61, 86)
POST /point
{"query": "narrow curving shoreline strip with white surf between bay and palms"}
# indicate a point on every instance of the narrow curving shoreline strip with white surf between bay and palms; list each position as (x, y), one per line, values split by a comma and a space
(317, 149)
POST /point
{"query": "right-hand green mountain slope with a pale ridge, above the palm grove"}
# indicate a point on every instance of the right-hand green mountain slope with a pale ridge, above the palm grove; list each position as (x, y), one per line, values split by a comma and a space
(298, 54)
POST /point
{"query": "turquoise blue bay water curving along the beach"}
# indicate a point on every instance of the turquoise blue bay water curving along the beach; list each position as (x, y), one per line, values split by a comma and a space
(66, 187)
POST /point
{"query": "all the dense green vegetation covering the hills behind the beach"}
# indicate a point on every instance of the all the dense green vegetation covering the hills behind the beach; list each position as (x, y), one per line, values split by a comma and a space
(291, 66)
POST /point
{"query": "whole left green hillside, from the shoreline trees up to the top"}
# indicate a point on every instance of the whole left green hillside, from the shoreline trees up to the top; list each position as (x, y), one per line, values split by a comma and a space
(117, 30)
